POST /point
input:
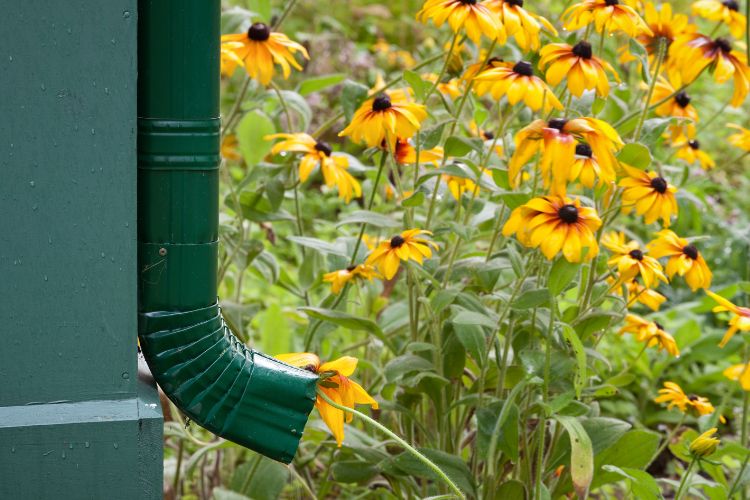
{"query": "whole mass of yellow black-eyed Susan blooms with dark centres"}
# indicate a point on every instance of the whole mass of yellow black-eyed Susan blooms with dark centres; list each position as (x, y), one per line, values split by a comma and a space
(568, 171)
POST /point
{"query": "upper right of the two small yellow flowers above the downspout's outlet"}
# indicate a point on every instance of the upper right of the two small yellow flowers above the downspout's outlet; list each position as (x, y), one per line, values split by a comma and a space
(410, 244)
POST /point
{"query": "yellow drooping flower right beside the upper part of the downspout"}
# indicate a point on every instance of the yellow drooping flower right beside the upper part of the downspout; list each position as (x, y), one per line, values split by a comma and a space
(262, 49)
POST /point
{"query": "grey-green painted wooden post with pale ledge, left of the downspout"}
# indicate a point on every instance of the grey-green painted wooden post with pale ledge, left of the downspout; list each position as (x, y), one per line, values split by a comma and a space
(75, 420)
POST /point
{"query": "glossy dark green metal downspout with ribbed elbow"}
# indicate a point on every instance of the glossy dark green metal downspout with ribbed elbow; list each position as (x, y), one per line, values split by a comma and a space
(231, 390)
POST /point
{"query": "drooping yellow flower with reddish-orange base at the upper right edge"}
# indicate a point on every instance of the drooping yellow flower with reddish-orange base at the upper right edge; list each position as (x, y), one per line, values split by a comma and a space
(693, 52)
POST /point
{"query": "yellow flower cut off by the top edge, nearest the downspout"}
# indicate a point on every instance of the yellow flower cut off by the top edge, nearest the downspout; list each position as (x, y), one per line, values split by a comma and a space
(468, 15)
